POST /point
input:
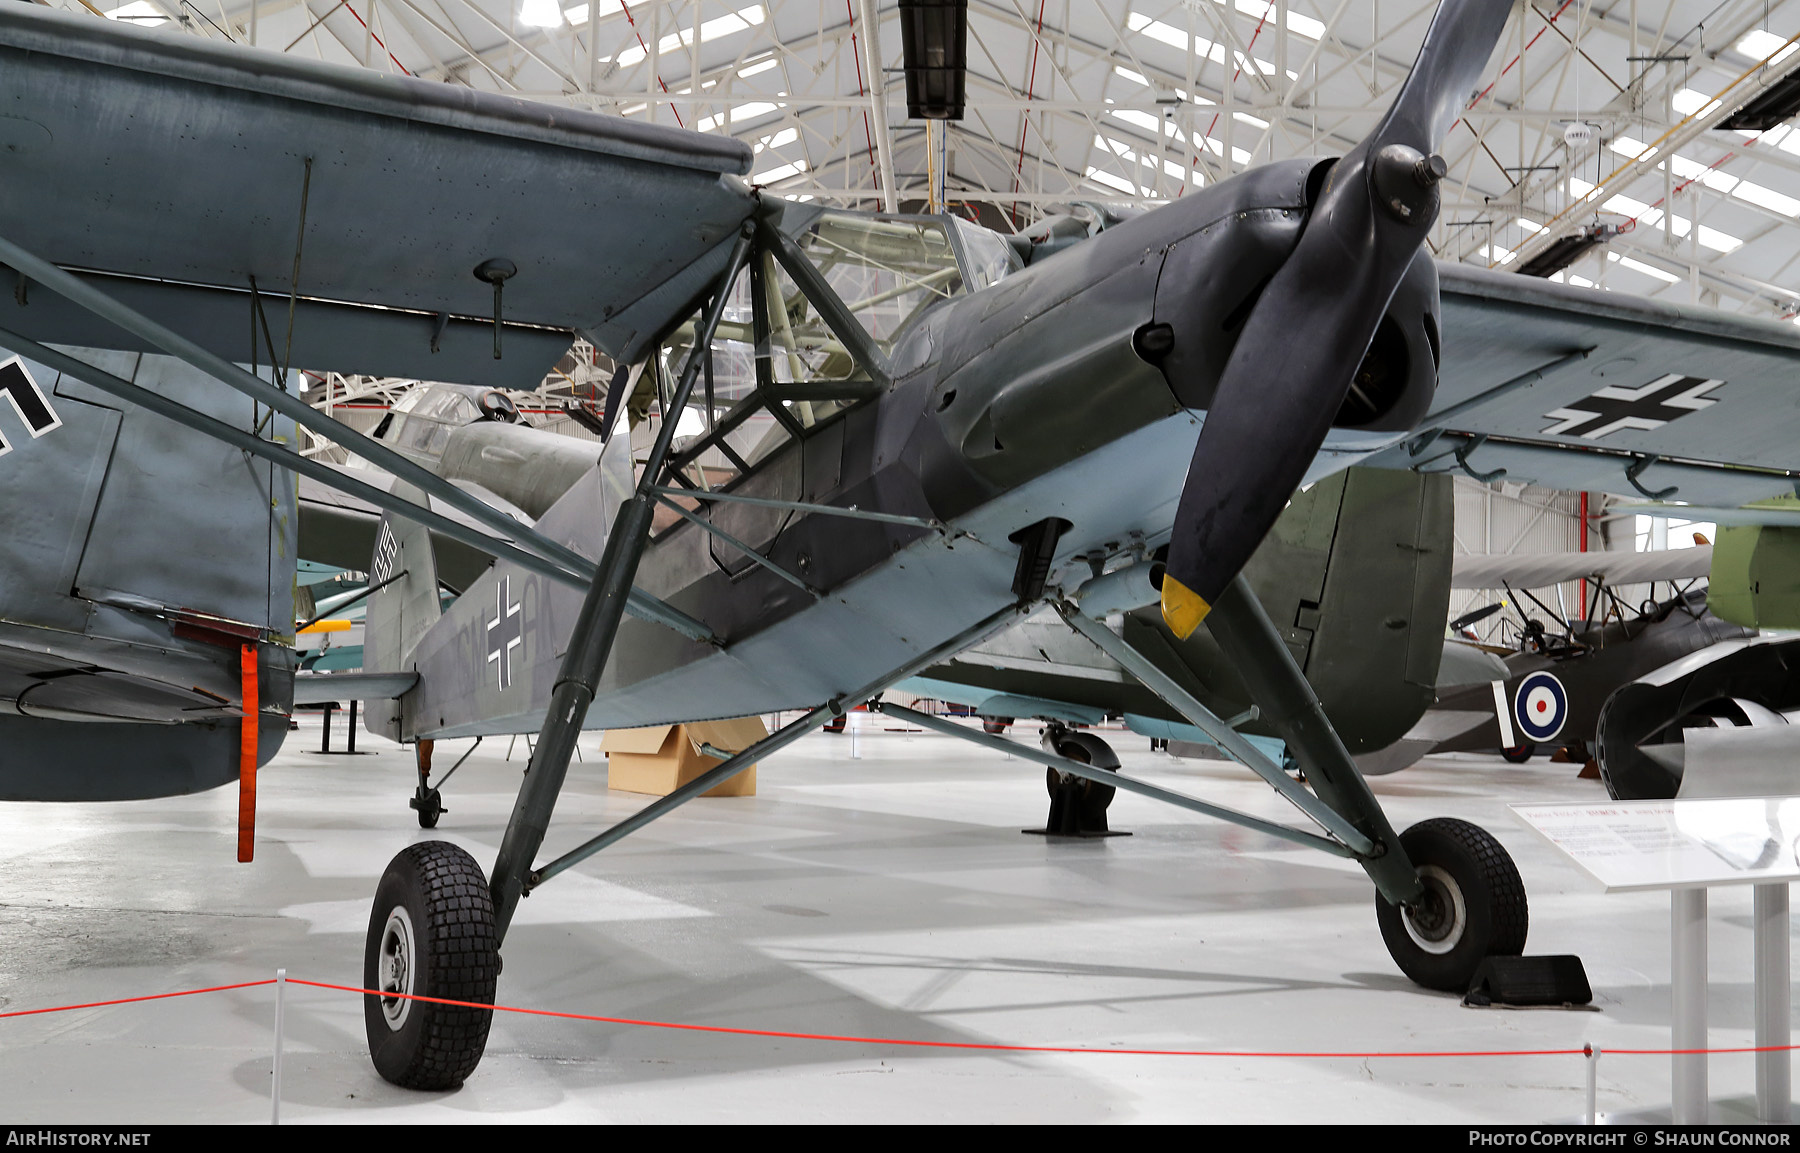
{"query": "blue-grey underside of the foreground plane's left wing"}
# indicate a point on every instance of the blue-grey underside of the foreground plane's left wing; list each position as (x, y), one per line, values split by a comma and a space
(384, 192)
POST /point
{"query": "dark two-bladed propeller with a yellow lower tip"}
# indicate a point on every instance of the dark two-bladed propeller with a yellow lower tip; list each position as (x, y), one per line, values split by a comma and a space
(1313, 325)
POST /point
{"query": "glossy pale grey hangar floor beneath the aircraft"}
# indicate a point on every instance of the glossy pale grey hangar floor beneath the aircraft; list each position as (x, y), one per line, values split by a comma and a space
(881, 897)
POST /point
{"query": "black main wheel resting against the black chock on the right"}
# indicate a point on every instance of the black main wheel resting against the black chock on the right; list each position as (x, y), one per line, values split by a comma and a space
(1473, 907)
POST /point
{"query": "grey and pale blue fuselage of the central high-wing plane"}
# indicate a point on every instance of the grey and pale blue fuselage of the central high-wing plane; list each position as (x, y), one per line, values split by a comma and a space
(1038, 397)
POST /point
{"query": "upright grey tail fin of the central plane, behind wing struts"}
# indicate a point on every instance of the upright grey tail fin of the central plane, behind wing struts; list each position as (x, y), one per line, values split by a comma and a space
(402, 612)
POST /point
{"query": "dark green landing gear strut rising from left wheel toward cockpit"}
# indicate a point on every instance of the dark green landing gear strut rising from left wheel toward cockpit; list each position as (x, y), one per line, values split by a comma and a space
(595, 632)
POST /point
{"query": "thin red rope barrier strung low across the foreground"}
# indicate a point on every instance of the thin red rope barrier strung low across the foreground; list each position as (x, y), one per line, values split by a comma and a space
(906, 1042)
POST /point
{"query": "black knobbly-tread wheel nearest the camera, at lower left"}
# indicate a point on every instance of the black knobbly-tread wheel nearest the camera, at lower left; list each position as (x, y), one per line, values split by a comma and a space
(431, 934)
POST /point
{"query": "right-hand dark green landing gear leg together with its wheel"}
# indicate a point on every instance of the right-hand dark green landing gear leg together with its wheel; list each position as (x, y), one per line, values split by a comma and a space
(1446, 893)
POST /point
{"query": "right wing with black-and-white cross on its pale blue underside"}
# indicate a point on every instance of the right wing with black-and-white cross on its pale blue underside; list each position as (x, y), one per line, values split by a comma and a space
(1583, 389)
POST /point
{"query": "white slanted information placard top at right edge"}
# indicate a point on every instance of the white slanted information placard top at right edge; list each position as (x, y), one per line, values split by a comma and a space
(1675, 845)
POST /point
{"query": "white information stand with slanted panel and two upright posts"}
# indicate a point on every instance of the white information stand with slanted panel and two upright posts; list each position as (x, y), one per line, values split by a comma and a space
(1689, 846)
